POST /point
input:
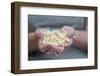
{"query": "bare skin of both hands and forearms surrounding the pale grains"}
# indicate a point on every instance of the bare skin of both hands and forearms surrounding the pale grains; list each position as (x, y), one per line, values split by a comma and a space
(77, 38)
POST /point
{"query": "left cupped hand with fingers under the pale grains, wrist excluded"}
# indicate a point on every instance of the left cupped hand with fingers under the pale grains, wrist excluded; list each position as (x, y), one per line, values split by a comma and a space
(46, 48)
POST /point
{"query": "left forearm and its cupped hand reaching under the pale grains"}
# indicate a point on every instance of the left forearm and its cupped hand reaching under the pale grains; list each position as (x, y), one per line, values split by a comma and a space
(36, 41)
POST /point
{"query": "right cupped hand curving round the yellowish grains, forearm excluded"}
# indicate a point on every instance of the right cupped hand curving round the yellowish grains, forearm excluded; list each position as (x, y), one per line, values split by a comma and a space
(70, 31)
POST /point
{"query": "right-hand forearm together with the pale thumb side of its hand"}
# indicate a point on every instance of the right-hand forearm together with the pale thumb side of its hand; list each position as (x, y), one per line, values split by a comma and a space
(79, 37)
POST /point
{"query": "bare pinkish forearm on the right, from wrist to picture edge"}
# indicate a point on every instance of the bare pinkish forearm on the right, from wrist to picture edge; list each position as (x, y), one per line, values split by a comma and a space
(80, 39)
